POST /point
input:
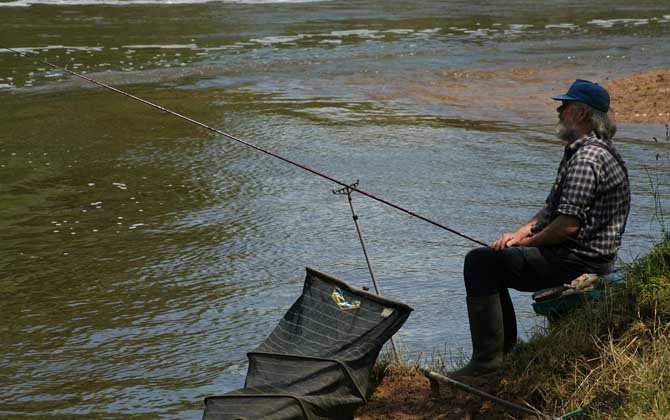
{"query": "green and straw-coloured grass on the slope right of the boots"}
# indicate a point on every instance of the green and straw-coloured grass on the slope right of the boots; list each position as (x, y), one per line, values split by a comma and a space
(611, 358)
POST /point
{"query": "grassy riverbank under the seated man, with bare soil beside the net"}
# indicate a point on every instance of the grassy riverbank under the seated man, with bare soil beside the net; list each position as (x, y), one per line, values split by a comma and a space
(610, 358)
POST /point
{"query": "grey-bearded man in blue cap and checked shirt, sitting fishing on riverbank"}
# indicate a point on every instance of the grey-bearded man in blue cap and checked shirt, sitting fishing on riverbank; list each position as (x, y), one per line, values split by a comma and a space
(578, 231)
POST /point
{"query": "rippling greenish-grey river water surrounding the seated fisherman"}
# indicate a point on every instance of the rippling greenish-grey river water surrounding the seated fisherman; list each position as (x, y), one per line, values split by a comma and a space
(142, 257)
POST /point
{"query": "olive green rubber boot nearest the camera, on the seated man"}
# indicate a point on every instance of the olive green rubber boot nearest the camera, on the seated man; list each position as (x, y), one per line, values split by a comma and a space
(486, 330)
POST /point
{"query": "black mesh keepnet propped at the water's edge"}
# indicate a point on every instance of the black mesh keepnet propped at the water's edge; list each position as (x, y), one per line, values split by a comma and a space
(317, 362)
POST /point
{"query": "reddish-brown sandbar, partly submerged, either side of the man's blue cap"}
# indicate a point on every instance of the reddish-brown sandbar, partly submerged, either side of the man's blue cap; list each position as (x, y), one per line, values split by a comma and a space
(525, 94)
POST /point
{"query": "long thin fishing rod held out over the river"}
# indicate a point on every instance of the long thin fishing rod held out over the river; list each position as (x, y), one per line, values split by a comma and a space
(257, 148)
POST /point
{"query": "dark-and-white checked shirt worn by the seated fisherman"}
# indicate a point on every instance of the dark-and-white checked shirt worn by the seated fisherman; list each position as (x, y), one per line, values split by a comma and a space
(591, 185)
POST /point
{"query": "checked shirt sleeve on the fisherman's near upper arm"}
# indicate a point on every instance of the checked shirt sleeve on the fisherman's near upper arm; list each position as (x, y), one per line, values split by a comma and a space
(579, 188)
